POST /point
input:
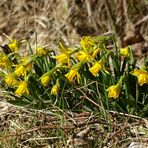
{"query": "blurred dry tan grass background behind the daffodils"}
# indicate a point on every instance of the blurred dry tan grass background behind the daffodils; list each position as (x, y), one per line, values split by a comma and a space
(50, 21)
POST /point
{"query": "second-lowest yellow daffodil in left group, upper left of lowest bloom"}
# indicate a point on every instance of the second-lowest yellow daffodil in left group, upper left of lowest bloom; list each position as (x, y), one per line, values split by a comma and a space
(11, 80)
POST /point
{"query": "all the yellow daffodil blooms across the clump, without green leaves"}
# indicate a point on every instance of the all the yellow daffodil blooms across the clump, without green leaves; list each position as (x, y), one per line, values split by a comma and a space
(88, 52)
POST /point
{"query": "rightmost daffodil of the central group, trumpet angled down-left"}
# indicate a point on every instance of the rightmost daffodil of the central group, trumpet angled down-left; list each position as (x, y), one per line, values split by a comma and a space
(96, 67)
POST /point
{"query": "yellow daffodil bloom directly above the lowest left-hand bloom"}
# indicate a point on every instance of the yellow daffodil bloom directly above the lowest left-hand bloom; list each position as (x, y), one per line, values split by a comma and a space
(20, 70)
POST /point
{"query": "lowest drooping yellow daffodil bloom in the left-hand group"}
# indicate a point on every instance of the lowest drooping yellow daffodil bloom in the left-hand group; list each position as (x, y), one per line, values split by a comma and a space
(22, 88)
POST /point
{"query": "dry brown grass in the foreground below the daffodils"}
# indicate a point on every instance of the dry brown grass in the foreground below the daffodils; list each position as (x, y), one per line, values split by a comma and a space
(29, 128)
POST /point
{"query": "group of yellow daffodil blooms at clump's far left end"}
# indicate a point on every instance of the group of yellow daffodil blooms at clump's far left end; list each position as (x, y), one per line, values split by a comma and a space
(15, 78)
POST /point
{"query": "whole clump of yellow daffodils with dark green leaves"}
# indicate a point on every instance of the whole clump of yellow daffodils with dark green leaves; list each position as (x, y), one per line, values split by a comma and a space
(46, 74)
